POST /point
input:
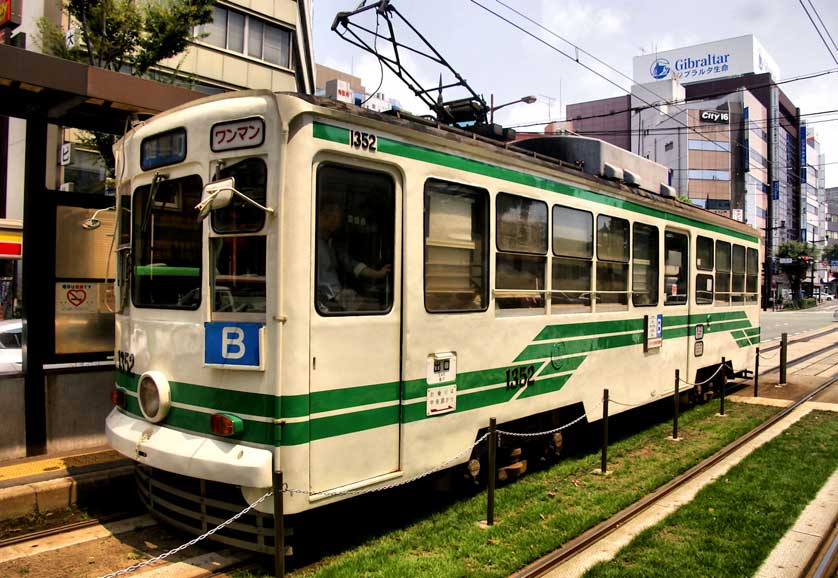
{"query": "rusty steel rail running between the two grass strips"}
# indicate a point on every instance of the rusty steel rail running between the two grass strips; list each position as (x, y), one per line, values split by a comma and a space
(600, 531)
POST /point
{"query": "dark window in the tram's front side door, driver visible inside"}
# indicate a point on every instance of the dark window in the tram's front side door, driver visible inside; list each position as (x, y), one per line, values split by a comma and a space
(355, 240)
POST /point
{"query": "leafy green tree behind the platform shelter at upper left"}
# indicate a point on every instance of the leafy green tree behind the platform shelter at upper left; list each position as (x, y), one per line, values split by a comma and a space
(126, 36)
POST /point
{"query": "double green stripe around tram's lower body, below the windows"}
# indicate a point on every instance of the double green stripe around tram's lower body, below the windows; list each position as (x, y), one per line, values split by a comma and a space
(579, 338)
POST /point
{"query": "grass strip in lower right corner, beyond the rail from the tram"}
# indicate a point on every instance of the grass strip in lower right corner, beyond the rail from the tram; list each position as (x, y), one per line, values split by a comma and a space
(732, 525)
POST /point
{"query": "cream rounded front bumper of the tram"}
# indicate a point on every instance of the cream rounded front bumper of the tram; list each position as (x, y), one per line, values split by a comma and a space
(188, 454)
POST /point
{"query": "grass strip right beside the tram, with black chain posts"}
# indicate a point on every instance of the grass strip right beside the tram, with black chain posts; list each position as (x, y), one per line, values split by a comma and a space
(542, 510)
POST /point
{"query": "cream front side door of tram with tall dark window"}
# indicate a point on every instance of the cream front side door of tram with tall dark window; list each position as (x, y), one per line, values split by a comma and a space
(355, 366)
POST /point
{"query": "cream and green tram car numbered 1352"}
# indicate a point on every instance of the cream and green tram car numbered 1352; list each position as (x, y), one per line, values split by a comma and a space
(349, 297)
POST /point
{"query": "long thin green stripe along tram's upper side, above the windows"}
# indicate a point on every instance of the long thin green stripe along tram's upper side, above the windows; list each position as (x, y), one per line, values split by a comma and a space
(396, 148)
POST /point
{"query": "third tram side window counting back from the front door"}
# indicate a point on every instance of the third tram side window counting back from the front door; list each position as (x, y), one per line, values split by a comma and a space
(573, 250)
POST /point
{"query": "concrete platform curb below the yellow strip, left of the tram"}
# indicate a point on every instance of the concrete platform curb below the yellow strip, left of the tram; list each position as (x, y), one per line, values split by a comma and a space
(57, 494)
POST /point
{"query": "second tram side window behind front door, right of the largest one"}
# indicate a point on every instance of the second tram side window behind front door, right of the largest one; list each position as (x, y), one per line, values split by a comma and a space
(522, 252)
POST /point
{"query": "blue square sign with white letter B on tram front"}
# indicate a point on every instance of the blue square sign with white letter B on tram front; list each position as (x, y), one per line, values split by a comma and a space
(233, 345)
